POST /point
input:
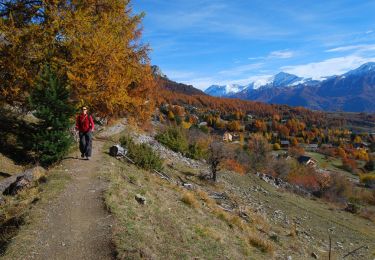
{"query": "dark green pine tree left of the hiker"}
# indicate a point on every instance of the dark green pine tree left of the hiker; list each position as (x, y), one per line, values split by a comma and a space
(50, 100)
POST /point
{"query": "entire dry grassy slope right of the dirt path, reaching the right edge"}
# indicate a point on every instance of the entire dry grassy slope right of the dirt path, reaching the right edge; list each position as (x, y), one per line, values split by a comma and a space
(168, 228)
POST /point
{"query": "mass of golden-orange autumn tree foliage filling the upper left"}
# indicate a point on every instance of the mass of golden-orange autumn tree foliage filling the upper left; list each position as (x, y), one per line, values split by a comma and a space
(94, 42)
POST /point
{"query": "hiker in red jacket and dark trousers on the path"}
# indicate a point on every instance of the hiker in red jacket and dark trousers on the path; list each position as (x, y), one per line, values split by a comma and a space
(85, 126)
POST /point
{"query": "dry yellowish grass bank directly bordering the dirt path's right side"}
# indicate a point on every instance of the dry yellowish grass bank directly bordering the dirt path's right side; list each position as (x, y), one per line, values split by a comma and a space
(166, 227)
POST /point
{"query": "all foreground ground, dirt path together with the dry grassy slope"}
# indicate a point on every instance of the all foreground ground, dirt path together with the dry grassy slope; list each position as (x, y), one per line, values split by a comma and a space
(184, 216)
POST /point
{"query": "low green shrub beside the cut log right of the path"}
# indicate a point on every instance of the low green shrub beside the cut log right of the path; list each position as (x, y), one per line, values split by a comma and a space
(142, 154)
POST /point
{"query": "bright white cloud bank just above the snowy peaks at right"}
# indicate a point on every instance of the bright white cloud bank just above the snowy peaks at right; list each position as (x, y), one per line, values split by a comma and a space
(329, 67)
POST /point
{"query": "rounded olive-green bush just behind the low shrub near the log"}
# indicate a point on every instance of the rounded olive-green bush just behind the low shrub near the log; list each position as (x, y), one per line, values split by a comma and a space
(175, 139)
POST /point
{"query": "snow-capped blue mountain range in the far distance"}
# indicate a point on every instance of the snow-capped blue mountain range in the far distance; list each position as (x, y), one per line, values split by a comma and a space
(353, 91)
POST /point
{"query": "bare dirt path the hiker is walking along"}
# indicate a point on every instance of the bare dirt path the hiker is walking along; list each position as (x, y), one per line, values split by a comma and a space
(76, 224)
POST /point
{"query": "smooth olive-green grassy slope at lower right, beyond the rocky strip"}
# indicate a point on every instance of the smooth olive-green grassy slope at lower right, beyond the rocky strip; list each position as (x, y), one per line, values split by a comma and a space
(312, 218)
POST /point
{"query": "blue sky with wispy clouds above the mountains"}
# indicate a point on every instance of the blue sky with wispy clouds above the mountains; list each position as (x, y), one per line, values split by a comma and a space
(205, 42)
